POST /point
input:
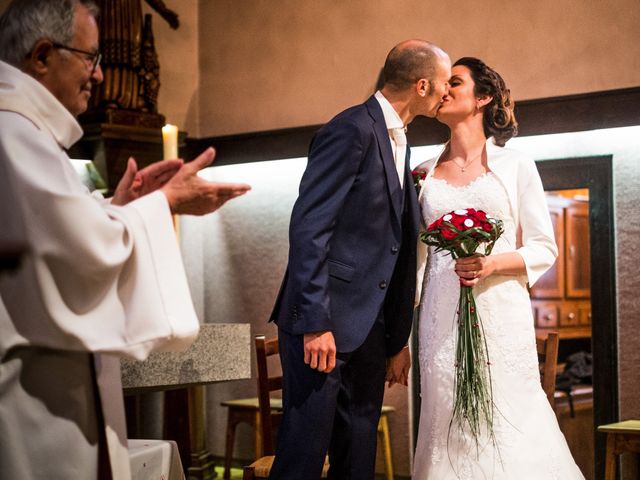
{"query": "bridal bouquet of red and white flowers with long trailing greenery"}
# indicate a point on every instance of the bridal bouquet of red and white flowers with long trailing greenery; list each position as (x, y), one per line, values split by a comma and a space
(461, 233)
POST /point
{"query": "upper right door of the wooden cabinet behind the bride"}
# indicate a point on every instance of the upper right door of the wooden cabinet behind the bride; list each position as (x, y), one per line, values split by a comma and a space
(578, 274)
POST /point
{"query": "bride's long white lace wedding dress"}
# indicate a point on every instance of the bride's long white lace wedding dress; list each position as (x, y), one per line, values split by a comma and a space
(528, 441)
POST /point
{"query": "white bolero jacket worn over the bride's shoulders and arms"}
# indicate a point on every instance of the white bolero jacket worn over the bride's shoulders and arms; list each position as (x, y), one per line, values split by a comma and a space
(518, 174)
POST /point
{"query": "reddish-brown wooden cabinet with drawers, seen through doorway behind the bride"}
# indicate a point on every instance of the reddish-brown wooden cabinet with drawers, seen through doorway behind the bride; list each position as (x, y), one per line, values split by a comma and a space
(561, 297)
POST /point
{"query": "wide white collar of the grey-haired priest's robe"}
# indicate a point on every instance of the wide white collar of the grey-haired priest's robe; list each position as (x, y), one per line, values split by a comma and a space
(23, 94)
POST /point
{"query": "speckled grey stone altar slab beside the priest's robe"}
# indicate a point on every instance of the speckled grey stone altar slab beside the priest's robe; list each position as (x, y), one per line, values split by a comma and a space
(221, 352)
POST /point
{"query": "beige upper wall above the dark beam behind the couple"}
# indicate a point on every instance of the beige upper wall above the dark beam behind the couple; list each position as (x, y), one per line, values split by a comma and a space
(267, 65)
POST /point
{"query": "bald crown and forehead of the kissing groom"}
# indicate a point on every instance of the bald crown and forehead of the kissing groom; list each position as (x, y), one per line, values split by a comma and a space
(410, 61)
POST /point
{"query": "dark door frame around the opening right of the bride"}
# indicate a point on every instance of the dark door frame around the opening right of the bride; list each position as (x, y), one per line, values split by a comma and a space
(596, 174)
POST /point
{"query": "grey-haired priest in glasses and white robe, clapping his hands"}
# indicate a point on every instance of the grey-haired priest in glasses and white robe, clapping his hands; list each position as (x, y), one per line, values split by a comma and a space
(102, 279)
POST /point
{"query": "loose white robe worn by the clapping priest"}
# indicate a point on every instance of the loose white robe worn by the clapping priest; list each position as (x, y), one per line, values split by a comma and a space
(99, 282)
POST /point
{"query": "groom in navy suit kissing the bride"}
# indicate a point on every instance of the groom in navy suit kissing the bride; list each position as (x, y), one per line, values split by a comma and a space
(345, 308)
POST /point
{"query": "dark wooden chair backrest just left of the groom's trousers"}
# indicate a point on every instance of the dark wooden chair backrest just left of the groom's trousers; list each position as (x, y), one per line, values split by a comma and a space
(267, 384)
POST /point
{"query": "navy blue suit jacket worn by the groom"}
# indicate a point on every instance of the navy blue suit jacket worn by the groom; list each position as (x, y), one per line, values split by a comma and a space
(352, 236)
